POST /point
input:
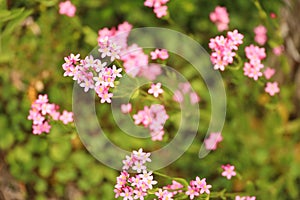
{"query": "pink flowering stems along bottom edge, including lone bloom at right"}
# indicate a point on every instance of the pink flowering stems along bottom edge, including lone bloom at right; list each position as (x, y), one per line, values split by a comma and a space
(137, 182)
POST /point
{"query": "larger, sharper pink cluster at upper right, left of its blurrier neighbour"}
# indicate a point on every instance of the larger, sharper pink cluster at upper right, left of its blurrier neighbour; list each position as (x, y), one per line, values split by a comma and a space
(223, 49)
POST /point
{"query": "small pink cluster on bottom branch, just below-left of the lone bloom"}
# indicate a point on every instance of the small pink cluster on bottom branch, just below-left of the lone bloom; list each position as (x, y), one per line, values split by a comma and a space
(197, 187)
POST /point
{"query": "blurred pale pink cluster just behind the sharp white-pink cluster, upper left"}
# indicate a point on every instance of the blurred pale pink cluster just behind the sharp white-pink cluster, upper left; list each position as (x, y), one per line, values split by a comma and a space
(113, 43)
